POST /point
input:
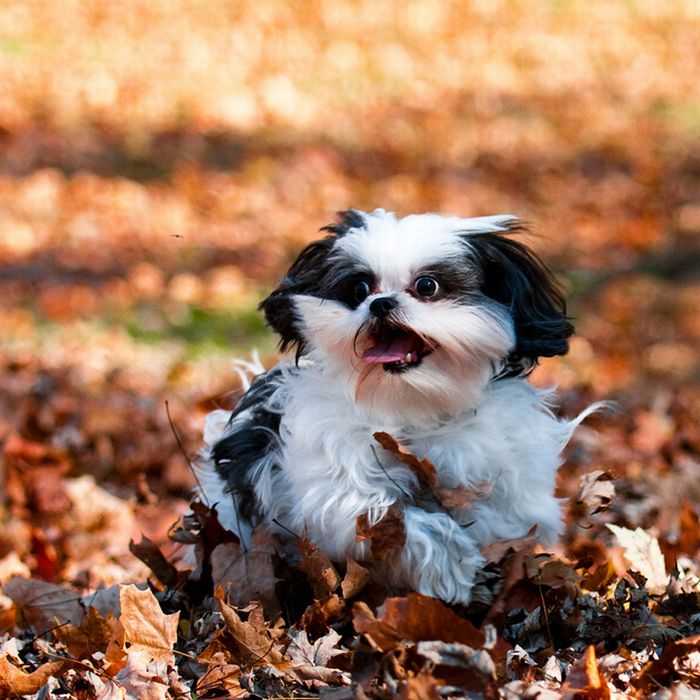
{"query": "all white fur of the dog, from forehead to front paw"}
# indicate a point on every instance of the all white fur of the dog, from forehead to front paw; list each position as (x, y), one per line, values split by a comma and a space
(327, 469)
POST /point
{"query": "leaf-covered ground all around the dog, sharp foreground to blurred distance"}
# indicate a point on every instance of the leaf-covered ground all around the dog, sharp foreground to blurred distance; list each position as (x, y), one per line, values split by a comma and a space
(152, 189)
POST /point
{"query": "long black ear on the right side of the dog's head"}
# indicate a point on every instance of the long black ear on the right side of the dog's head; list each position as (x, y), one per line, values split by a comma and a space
(515, 277)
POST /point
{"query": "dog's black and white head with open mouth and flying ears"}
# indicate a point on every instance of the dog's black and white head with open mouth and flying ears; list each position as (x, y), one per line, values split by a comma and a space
(414, 316)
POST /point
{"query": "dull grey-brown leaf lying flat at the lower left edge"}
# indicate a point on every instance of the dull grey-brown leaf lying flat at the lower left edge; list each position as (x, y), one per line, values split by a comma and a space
(43, 605)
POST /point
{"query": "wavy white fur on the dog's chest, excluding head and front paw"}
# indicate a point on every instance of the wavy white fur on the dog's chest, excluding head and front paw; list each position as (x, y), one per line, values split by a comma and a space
(325, 468)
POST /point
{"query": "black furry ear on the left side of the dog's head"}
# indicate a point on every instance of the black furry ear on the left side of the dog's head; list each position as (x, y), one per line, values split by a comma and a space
(307, 275)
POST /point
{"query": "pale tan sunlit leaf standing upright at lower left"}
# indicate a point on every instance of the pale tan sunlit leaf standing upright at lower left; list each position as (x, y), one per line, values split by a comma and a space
(146, 628)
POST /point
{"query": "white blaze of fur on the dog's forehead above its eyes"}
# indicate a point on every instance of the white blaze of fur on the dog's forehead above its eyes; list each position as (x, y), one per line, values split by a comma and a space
(396, 249)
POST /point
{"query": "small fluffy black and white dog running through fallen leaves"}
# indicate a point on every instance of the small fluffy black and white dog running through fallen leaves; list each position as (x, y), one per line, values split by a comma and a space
(425, 328)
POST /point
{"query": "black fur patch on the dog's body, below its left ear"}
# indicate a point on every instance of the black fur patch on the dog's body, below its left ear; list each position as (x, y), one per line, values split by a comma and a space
(236, 453)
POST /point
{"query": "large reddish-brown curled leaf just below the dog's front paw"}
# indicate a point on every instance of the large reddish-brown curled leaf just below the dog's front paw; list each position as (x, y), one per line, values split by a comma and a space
(416, 618)
